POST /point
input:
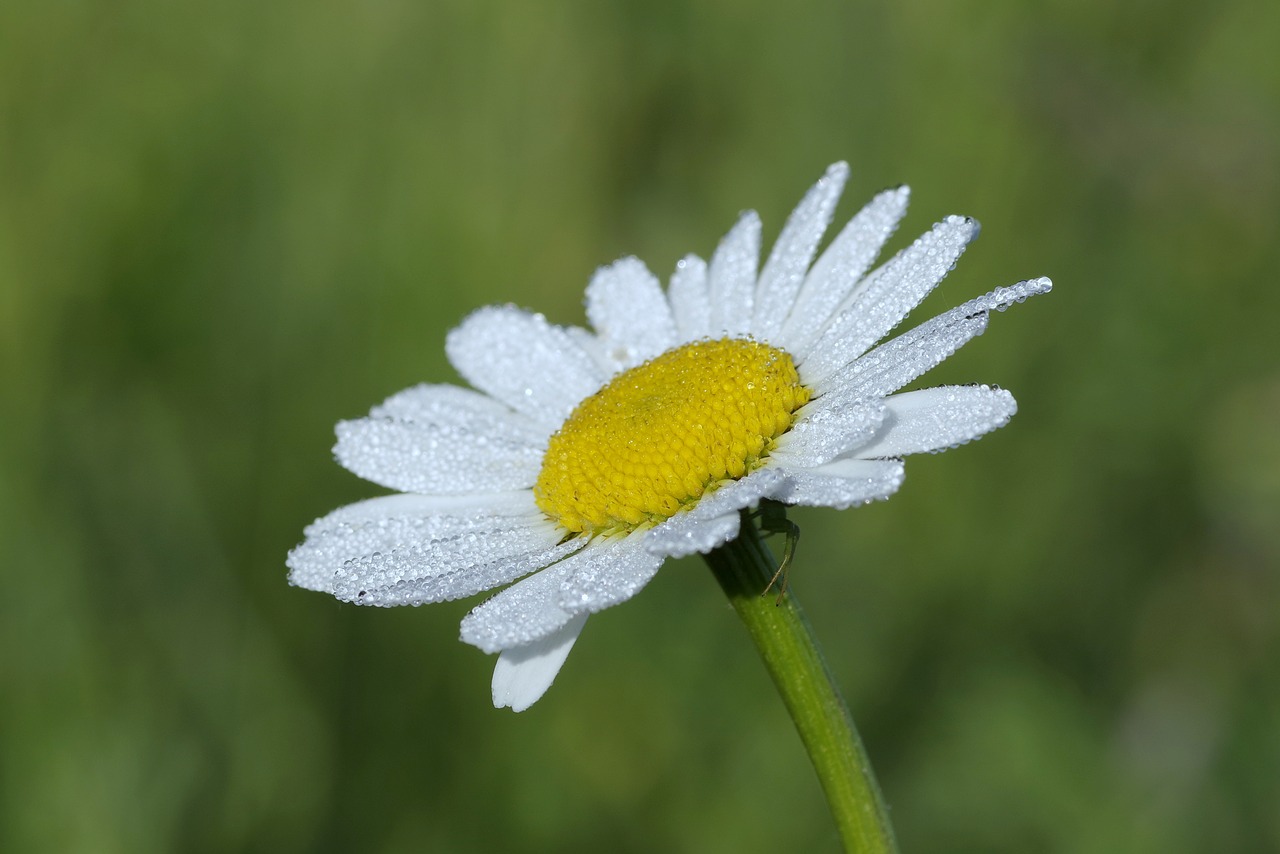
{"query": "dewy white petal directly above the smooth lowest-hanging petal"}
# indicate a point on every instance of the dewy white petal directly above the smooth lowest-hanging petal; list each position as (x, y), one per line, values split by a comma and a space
(527, 611)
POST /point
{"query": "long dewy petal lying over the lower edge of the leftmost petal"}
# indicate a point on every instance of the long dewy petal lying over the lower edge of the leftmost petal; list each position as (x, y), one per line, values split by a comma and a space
(451, 568)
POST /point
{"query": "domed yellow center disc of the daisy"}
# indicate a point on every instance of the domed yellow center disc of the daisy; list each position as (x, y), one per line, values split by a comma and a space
(662, 435)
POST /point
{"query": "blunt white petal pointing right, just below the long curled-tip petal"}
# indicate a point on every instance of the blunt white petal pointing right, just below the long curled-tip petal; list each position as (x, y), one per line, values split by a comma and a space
(936, 419)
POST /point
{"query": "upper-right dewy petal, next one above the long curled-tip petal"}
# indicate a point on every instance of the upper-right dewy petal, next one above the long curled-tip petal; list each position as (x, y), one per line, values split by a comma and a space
(889, 295)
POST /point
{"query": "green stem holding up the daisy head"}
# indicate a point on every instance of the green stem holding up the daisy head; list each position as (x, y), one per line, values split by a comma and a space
(787, 643)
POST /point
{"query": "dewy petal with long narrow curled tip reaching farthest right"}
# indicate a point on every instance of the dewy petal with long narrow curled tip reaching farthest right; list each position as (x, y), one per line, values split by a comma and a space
(902, 360)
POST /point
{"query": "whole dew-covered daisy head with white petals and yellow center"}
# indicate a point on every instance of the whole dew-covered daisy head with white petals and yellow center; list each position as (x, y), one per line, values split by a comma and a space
(586, 459)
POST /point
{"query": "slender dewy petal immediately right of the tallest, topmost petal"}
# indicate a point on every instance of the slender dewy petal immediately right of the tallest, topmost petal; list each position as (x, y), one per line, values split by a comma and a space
(842, 267)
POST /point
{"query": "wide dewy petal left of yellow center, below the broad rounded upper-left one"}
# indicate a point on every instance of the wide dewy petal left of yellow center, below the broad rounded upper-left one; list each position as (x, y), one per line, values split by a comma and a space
(452, 451)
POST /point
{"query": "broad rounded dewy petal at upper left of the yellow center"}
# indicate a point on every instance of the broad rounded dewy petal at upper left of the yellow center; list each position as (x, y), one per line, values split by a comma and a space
(524, 362)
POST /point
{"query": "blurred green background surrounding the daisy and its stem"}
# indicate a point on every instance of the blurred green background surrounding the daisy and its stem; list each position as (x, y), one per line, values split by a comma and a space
(227, 226)
